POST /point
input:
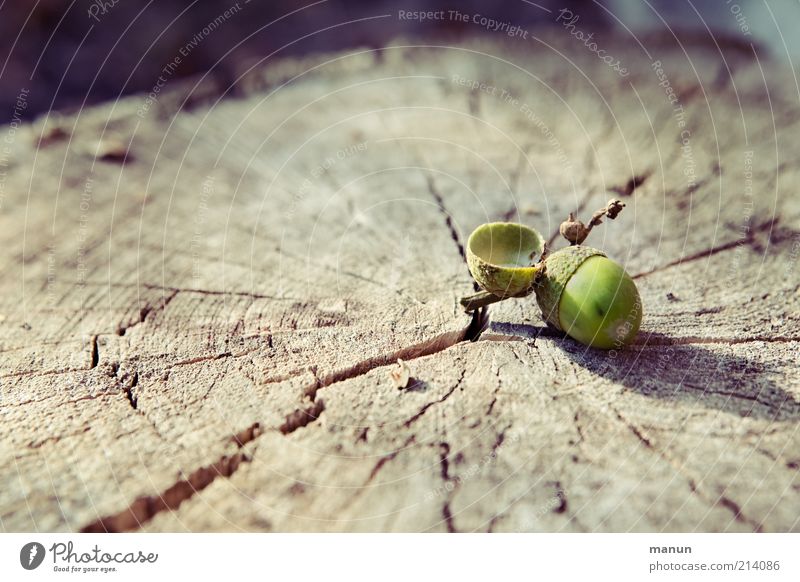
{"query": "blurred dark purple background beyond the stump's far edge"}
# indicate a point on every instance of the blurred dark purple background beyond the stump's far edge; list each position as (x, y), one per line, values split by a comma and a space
(68, 53)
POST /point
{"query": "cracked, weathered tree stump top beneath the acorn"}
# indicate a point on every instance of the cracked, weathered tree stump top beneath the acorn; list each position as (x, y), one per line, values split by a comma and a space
(201, 302)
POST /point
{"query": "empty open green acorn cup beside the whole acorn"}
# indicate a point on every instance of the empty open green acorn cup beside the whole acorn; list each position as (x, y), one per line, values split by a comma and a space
(501, 257)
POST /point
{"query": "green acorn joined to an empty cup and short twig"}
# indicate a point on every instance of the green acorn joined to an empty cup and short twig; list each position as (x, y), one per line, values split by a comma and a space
(579, 290)
